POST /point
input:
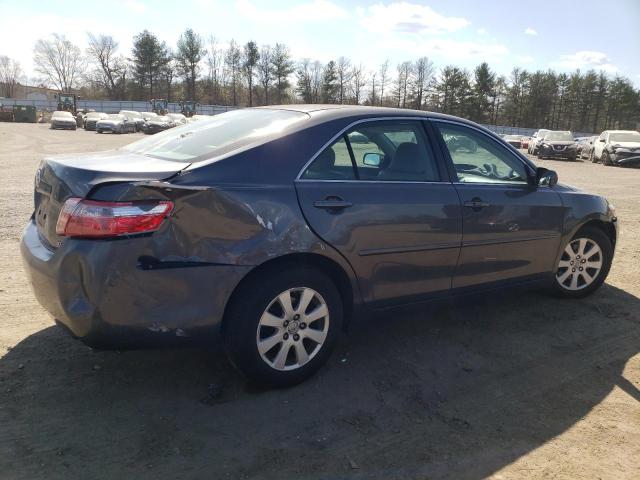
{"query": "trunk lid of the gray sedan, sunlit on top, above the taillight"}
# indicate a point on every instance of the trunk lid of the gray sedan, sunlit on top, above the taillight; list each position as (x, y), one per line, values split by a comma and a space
(61, 177)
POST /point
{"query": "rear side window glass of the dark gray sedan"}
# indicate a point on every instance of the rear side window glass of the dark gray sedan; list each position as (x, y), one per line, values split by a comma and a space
(380, 151)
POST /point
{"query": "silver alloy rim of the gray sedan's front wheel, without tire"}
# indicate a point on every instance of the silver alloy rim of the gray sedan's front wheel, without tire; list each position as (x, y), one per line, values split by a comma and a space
(579, 265)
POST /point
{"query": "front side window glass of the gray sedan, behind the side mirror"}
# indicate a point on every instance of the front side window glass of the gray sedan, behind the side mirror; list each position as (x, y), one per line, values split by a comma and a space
(479, 159)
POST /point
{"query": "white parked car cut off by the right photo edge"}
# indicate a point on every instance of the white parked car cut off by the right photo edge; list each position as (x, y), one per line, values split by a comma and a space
(617, 147)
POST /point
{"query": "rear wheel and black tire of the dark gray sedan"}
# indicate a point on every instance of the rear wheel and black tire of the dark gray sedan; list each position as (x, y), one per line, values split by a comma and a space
(258, 302)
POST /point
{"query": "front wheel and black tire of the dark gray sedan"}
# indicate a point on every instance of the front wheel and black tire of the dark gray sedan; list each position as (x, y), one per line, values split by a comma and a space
(580, 251)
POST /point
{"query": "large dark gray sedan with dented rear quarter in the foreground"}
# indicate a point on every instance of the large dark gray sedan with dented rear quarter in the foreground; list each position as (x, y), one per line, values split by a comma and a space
(265, 225)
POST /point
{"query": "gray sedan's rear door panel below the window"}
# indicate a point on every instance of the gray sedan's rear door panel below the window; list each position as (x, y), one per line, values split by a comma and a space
(402, 239)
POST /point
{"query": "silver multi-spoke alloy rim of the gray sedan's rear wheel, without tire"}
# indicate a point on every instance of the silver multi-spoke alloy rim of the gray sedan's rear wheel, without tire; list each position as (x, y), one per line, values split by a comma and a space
(293, 328)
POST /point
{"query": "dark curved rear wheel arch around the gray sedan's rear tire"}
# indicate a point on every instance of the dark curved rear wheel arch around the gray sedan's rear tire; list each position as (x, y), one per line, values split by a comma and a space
(347, 288)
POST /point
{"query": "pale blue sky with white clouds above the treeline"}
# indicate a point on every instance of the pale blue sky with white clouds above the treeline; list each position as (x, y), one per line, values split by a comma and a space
(542, 34)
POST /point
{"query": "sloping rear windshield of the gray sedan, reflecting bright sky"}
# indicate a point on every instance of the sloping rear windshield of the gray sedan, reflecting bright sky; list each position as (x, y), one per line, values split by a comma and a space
(216, 135)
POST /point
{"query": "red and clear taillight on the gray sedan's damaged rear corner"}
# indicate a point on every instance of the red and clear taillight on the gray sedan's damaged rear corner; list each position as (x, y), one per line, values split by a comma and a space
(95, 219)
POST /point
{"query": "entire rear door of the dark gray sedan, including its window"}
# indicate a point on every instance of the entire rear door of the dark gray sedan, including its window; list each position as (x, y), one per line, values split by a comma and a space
(377, 194)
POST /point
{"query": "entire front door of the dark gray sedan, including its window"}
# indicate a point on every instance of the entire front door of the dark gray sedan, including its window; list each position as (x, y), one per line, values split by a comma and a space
(511, 227)
